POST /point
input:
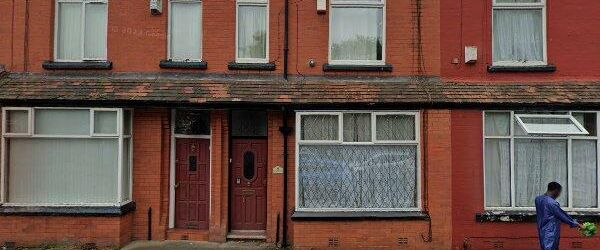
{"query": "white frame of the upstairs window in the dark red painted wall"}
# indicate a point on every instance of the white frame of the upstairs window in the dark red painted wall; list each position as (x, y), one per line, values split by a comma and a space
(520, 6)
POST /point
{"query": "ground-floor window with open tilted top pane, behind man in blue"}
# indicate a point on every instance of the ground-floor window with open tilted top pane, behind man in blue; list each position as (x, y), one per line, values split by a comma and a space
(524, 151)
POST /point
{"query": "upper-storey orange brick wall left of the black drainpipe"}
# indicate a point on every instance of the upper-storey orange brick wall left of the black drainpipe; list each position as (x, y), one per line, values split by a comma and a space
(137, 40)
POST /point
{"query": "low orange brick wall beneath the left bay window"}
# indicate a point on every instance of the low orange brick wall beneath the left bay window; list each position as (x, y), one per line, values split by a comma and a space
(34, 230)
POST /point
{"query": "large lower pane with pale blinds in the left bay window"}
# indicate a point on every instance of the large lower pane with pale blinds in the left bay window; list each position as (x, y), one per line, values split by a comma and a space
(62, 171)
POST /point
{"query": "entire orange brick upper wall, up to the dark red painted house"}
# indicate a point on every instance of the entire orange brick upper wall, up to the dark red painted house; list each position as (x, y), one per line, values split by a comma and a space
(137, 40)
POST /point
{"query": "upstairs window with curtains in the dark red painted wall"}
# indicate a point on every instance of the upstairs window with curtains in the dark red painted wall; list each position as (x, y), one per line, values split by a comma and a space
(519, 32)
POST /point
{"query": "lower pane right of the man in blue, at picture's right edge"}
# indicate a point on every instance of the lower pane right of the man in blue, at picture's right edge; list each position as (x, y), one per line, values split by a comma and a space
(585, 175)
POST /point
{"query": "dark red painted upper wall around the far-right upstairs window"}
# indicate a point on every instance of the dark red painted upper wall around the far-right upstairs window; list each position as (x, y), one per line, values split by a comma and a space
(571, 32)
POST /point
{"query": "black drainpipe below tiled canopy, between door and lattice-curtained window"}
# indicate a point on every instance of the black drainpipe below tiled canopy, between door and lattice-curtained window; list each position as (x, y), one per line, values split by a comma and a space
(285, 131)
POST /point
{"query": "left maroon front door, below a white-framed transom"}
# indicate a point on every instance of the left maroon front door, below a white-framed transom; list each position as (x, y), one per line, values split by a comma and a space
(192, 183)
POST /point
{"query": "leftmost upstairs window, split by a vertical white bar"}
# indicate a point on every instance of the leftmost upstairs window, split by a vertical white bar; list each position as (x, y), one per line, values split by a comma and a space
(81, 30)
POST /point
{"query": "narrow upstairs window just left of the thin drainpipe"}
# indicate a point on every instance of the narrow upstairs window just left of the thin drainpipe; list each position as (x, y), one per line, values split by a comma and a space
(252, 31)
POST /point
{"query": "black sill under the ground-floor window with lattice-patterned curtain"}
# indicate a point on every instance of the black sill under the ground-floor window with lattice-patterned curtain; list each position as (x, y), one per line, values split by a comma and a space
(358, 216)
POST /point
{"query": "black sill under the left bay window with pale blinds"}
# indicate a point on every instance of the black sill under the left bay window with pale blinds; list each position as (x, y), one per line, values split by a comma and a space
(76, 211)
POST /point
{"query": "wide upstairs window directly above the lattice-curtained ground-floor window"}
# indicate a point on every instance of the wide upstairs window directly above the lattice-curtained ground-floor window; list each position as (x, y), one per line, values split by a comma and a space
(356, 32)
